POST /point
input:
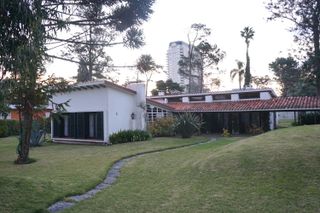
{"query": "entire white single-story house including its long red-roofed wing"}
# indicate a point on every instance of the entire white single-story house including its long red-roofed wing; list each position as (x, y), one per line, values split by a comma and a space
(99, 108)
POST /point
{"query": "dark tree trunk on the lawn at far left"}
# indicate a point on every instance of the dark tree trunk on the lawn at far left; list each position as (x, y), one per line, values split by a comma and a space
(23, 150)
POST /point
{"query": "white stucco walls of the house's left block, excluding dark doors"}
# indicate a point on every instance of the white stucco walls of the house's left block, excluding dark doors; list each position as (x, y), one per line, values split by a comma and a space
(116, 105)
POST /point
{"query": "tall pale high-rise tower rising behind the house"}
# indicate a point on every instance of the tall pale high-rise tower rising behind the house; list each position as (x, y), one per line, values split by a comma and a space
(176, 50)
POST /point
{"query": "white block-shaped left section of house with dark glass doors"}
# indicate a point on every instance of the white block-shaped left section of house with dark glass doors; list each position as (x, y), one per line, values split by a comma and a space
(97, 109)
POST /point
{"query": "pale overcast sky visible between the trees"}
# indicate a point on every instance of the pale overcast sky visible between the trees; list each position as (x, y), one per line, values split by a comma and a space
(172, 19)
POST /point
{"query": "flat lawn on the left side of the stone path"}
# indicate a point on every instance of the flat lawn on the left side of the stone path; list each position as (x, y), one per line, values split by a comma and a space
(61, 170)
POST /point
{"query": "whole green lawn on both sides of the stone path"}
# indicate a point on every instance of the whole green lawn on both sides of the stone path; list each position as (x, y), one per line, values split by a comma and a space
(278, 171)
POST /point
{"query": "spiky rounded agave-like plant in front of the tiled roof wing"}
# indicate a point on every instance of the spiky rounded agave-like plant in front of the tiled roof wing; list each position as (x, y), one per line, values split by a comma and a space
(187, 124)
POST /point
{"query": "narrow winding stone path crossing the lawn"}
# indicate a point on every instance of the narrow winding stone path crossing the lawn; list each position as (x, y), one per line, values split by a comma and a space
(111, 177)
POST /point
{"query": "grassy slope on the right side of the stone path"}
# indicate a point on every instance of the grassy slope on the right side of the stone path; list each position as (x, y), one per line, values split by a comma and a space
(275, 172)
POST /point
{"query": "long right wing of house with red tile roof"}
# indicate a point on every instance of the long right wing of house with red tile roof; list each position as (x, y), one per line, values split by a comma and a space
(239, 111)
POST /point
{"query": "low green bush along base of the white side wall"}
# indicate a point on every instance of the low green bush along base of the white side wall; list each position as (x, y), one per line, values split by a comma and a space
(126, 136)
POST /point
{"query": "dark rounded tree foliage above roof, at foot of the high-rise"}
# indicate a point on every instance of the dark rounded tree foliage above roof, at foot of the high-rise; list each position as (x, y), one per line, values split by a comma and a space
(168, 87)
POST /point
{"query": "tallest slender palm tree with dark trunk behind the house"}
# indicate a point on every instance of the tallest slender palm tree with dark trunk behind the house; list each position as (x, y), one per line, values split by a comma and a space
(247, 33)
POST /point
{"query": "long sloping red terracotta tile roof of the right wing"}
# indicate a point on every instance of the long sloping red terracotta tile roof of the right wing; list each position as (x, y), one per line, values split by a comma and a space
(275, 104)
